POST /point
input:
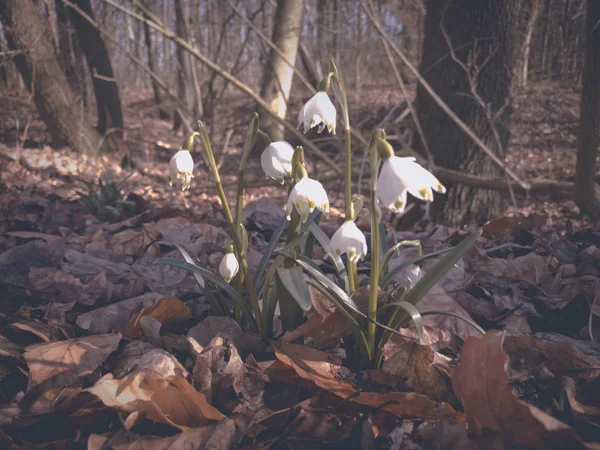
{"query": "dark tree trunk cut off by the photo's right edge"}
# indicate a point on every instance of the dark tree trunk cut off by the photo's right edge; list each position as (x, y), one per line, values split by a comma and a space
(589, 116)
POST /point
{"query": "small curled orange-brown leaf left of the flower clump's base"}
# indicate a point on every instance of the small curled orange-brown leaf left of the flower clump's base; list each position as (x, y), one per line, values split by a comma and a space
(169, 311)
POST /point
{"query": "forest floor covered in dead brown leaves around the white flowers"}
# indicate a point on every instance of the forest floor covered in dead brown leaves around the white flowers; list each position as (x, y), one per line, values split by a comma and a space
(102, 348)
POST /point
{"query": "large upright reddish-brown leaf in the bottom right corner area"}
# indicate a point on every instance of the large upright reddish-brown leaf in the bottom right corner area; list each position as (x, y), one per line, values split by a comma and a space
(481, 383)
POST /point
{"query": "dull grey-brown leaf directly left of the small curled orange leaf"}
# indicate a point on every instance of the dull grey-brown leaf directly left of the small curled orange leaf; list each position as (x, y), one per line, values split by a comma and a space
(115, 316)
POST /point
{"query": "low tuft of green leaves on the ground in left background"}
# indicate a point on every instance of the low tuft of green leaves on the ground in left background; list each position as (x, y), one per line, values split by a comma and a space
(105, 199)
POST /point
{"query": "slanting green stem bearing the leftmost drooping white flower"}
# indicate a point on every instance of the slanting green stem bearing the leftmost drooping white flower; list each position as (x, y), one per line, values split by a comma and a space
(234, 231)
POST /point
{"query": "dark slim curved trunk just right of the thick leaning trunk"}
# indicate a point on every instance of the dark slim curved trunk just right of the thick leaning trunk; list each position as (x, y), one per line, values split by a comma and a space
(106, 91)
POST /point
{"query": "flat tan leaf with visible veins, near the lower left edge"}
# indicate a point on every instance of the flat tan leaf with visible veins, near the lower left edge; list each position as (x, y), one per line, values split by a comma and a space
(63, 364)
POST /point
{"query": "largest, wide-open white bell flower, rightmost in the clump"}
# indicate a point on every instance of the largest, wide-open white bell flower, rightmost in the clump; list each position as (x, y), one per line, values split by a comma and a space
(401, 175)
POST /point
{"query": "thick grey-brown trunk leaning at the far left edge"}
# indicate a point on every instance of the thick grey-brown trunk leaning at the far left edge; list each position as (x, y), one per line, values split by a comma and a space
(24, 31)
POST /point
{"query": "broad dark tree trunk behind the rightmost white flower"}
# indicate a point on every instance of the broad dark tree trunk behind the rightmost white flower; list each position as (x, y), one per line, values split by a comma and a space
(484, 34)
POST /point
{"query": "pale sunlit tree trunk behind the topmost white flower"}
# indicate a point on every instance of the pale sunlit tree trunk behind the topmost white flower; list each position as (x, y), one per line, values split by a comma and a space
(279, 74)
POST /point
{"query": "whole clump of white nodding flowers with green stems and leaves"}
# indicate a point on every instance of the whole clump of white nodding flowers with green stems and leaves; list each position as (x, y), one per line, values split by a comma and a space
(251, 298)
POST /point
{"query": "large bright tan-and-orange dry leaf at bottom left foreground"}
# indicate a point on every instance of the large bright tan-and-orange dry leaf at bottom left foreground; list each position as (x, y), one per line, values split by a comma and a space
(170, 400)
